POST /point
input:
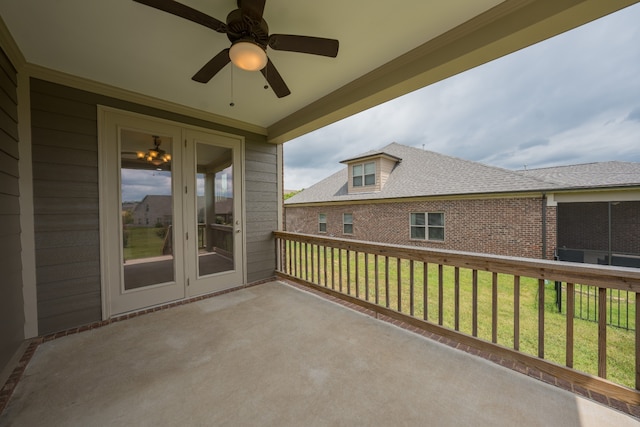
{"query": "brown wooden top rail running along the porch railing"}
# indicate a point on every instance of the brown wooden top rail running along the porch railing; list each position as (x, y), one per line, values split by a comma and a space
(624, 278)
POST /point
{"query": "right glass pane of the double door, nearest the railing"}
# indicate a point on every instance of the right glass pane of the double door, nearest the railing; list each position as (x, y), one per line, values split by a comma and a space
(215, 216)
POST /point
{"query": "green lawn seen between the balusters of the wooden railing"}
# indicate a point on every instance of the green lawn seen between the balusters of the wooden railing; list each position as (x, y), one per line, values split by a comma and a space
(620, 342)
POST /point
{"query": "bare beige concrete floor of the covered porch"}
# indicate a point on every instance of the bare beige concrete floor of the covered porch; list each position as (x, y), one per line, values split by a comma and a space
(273, 355)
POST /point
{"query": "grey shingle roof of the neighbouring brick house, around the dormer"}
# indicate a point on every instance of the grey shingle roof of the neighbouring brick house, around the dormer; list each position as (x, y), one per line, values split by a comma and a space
(426, 173)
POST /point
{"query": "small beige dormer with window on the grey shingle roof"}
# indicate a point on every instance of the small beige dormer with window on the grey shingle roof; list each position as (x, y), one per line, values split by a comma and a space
(368, 173)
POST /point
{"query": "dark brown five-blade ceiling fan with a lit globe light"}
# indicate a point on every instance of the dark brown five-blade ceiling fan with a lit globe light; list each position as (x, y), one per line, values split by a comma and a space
(249, 35)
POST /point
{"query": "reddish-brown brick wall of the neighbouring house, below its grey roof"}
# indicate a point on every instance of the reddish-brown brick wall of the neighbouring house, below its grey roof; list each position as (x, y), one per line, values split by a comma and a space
(510, 226)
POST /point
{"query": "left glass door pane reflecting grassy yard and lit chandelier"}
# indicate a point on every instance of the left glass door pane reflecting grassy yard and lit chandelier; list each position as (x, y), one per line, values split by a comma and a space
(147, 209)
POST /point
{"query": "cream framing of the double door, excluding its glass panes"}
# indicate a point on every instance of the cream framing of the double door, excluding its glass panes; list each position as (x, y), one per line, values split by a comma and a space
(114, 299)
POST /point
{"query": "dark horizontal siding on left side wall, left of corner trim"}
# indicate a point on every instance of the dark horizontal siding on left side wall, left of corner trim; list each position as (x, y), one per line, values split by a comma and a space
(11, 299)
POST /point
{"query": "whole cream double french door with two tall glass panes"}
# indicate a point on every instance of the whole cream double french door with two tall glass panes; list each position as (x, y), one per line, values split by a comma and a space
(171, 212)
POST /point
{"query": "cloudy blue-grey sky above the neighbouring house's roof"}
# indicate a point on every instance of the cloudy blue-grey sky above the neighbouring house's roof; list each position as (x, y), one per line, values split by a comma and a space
(568, 100)
